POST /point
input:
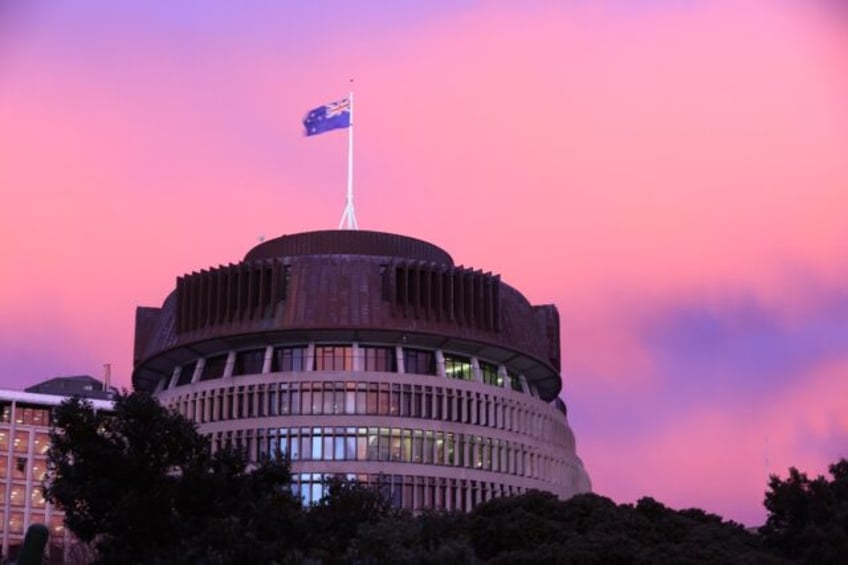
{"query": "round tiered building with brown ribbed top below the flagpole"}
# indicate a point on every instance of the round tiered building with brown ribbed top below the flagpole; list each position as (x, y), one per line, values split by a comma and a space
(369, 355)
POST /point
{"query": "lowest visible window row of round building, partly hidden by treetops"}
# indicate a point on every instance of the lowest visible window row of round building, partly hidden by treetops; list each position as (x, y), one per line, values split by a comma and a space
(410, 491)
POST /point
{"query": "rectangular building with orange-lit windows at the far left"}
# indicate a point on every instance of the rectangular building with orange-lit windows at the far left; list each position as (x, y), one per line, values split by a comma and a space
(24, 441)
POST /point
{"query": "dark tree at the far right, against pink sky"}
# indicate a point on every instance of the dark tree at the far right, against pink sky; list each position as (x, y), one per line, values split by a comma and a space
(808, 518)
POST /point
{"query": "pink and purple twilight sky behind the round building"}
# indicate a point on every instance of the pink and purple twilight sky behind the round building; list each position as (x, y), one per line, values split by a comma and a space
(672, 174)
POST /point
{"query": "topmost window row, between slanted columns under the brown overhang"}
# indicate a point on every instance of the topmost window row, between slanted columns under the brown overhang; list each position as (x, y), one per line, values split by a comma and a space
(346, 358)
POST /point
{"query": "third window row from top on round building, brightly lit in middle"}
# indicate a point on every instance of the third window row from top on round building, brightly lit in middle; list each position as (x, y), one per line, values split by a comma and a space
(399, 445)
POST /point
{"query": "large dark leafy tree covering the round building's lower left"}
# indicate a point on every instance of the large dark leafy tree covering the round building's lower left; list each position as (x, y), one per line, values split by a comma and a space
(140, 483)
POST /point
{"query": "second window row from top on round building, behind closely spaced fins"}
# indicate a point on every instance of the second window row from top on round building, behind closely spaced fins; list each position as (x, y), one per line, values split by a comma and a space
(371, 399)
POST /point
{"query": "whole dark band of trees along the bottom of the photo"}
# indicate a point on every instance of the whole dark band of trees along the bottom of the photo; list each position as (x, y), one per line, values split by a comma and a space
(141, 485)
